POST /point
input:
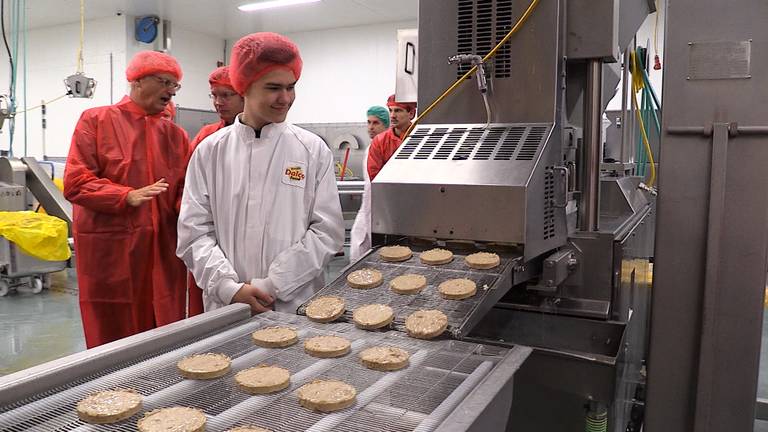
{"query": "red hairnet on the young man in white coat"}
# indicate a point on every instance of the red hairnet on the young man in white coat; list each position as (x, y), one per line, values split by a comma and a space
(258, 53)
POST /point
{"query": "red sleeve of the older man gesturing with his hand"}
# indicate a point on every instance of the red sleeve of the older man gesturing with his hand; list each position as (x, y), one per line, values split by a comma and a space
(82, 182)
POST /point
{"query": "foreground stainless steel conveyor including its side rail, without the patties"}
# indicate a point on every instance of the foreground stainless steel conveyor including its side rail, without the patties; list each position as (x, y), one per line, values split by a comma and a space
(448, 385)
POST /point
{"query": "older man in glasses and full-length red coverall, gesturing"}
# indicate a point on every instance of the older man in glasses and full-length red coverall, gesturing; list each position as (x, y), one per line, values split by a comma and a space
(124, 175)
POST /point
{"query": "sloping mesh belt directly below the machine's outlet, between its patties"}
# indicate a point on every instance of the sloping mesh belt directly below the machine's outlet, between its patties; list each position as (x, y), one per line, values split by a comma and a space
(459, 312)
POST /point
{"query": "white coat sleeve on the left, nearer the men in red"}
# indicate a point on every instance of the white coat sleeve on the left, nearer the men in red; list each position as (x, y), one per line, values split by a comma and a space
(197, 244)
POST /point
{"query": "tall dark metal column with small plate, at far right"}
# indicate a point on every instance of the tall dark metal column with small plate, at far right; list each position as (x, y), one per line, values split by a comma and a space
(707, 309)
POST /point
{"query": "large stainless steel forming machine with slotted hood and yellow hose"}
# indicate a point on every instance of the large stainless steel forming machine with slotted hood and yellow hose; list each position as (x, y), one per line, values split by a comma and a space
(521, 175)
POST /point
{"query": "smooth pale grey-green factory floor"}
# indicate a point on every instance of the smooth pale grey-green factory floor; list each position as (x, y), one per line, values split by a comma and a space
(36, 328)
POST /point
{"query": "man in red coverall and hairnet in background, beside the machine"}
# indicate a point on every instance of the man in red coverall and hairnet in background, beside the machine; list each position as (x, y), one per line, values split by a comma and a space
(386, 143)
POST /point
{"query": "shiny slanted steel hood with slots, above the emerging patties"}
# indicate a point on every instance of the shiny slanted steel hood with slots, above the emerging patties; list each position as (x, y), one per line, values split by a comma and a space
(496, 185)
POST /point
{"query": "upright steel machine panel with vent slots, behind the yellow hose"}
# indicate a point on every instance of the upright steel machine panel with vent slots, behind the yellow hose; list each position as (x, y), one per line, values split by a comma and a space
(523, 83)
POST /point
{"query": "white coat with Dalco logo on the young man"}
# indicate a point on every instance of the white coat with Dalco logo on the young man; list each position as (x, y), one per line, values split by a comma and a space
(260, 210)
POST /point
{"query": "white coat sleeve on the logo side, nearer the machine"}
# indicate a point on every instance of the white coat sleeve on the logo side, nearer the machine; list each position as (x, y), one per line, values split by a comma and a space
(305, 260)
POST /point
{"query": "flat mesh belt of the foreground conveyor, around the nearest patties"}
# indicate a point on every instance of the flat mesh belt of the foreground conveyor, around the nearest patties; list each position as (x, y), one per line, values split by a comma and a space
(441, 374)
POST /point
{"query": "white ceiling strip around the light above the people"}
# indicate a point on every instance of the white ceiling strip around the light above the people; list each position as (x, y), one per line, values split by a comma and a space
(222, 18)
